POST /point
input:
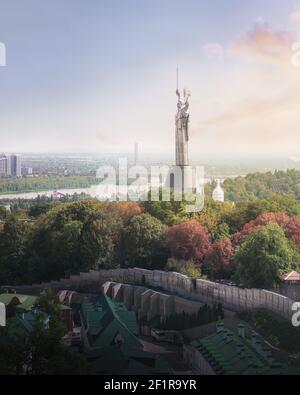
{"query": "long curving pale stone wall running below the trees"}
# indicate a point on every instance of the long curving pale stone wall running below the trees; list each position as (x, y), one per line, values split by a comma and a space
(232, 298)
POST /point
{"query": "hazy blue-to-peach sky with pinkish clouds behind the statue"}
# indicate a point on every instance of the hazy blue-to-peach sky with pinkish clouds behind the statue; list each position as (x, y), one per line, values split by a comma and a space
(100, 75)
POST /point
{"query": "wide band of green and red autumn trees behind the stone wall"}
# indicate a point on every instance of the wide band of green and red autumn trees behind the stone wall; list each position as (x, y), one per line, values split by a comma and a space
(251, 243)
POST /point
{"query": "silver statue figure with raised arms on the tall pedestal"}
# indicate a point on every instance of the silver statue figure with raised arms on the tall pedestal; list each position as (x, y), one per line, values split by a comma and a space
(182, 128)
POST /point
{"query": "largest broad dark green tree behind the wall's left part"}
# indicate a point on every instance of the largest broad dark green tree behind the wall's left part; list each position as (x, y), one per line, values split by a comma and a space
(74, 237)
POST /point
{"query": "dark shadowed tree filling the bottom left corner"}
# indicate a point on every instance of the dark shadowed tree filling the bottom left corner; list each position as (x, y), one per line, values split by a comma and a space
(41, 352)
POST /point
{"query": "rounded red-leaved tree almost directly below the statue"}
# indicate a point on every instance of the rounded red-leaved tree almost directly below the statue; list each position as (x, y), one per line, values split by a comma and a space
(188, 241)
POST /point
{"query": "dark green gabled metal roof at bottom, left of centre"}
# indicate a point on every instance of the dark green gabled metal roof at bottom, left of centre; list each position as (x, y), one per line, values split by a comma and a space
(112, 333)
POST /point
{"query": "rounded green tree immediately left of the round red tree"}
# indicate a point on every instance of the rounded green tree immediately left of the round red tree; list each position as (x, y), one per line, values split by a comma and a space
(143, 243)
